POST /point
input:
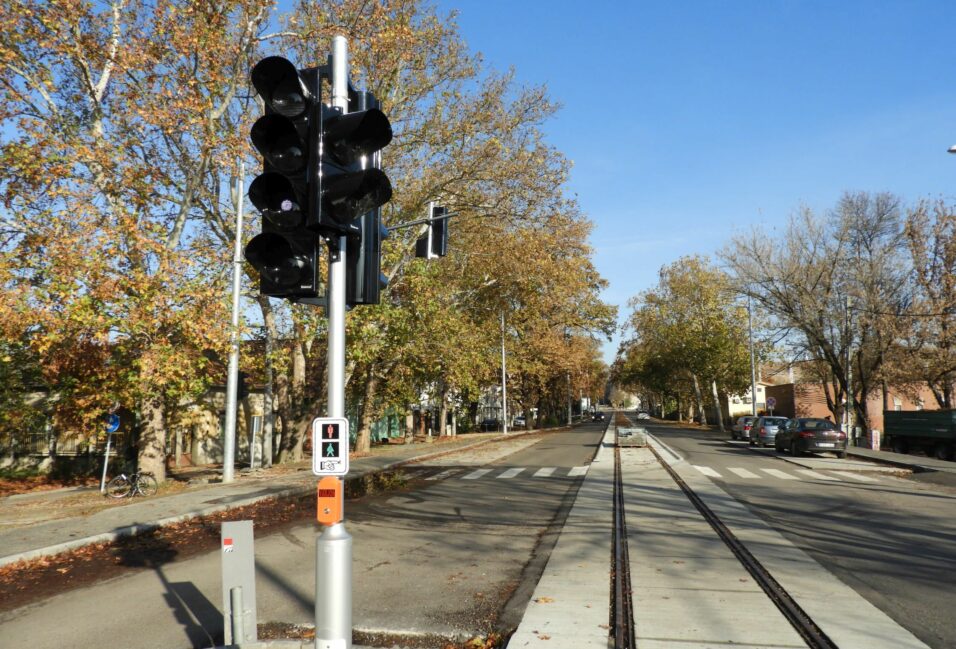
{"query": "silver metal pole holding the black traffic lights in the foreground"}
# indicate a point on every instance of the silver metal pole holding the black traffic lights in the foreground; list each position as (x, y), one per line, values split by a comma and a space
(333, 548)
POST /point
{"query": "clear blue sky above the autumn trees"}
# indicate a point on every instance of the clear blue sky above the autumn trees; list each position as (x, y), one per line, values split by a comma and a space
(688, 121)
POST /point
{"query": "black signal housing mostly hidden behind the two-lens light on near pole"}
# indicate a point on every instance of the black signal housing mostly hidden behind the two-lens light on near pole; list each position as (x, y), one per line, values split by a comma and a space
(364, 279)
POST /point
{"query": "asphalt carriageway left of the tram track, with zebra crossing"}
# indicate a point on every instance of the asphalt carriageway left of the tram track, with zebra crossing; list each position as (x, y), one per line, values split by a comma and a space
(455, 554)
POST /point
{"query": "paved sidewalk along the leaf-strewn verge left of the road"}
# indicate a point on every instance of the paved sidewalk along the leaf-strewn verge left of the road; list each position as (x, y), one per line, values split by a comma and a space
(137, 515)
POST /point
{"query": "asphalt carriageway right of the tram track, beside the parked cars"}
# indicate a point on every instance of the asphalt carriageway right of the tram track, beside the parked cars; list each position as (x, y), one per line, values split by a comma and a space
(888, 536)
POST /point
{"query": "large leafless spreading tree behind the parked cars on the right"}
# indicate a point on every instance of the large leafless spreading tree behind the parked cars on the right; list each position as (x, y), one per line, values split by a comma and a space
(828, 282)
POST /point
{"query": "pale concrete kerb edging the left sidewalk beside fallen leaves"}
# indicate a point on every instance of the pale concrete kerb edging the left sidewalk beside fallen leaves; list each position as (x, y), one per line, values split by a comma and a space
(292, 491)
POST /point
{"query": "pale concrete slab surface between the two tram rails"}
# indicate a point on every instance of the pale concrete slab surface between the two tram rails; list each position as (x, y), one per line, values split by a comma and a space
(688, 588)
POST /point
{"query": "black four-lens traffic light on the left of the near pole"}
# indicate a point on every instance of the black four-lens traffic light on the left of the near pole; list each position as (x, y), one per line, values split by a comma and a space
(286, 253)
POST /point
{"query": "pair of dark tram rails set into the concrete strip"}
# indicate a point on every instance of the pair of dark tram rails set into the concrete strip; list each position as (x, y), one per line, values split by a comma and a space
(622, 612)
